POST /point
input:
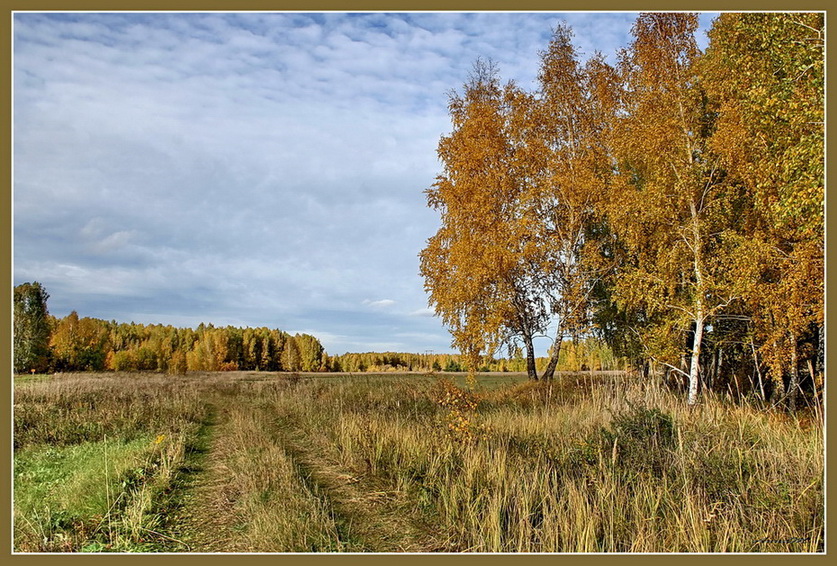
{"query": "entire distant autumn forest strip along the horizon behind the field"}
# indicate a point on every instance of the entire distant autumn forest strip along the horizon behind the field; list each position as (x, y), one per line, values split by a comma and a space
(46, 343)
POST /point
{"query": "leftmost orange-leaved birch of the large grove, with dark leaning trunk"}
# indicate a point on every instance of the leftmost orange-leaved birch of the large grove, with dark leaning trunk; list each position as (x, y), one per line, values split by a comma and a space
(472, 267)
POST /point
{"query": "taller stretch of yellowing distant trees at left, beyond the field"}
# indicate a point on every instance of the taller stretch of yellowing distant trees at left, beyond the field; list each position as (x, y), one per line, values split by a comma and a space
(46, 343)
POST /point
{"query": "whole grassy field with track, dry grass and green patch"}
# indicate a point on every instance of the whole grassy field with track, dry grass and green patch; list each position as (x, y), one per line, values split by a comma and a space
(259, 462)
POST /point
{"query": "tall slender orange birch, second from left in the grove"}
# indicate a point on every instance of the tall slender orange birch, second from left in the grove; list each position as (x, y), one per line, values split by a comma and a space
(570, 169)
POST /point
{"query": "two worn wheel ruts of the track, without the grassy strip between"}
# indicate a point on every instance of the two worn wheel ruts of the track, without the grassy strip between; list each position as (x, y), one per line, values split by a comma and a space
(368, 514)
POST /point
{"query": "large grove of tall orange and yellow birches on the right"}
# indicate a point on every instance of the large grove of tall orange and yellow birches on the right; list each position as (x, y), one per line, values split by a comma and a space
(671, 204)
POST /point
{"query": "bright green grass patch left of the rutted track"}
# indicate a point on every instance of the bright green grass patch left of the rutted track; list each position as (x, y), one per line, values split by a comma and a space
(92, 496)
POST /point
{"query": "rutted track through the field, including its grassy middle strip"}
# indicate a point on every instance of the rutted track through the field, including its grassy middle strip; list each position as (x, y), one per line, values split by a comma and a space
(223, 511)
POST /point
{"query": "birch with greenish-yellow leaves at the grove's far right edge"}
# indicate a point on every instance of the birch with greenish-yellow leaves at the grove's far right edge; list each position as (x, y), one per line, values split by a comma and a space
(765, 75)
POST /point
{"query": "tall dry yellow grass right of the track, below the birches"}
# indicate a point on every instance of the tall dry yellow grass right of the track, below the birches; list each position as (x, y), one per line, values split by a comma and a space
(610, 467)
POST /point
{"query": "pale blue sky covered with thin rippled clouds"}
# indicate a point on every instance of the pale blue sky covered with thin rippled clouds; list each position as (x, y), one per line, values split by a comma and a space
(251, 169)
